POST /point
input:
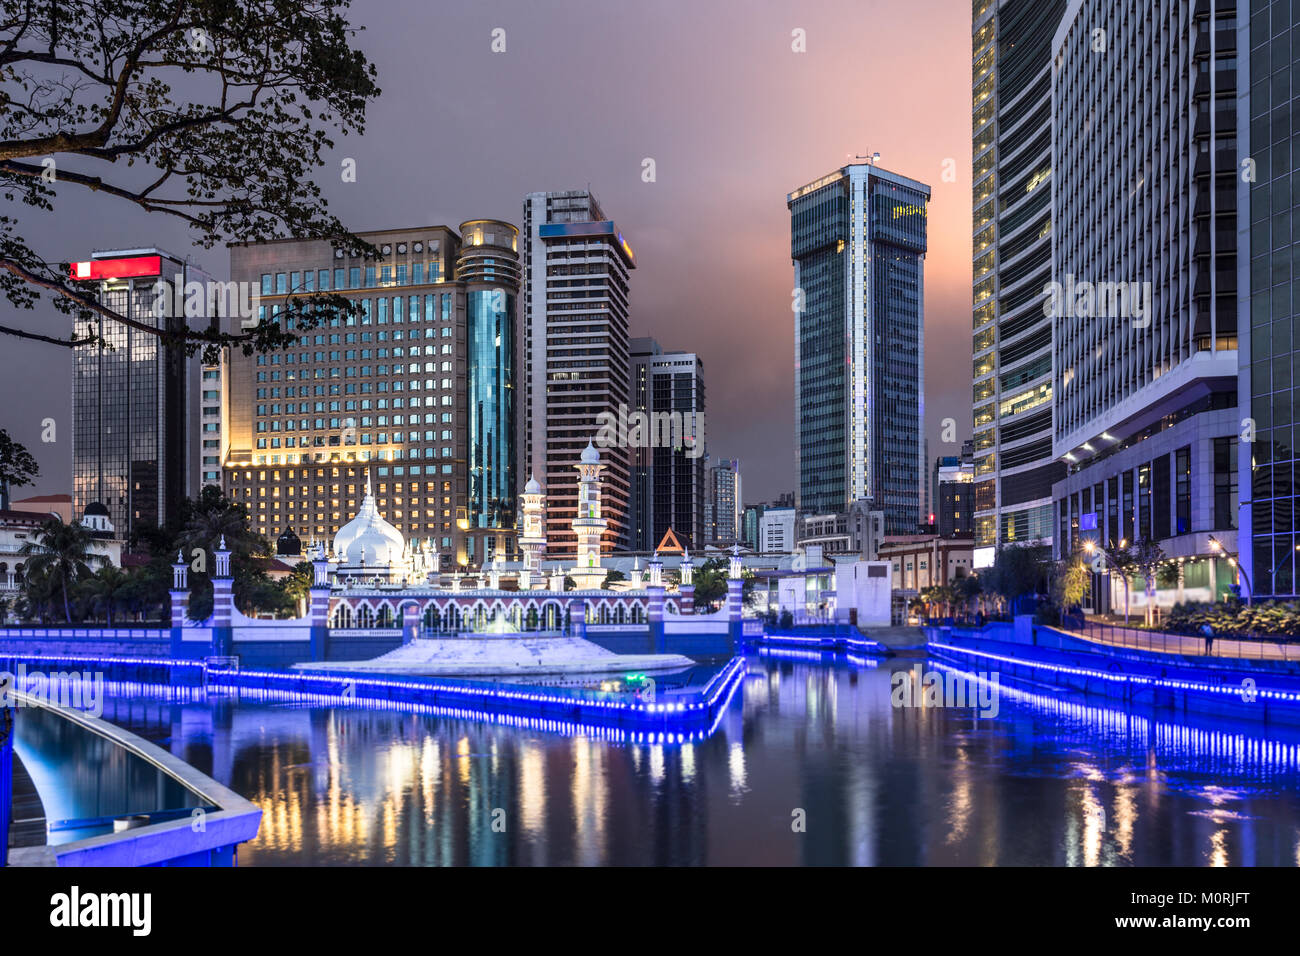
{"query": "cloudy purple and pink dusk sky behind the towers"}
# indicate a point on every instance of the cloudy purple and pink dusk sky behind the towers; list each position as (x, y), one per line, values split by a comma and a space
(584, 93)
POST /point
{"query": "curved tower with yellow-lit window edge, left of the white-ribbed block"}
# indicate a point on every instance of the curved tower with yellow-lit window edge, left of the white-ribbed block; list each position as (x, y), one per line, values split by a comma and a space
(1012, 176)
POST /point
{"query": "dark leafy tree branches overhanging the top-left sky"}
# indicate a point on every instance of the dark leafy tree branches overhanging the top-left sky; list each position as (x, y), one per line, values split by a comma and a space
(232, 153)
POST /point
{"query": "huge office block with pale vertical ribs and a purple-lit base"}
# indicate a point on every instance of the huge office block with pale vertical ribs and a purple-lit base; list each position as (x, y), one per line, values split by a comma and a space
(1145, 278)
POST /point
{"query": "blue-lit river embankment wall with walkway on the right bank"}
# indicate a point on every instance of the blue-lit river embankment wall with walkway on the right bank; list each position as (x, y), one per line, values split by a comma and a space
(1162, 676)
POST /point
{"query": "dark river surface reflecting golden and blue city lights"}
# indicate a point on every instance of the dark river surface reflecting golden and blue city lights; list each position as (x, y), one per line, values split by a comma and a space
(1050, 781)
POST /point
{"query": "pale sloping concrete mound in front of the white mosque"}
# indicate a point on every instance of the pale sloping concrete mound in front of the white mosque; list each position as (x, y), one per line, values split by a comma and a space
(505, 657)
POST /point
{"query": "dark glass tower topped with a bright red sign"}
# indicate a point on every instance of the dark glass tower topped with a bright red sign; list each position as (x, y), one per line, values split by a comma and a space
(138, 434)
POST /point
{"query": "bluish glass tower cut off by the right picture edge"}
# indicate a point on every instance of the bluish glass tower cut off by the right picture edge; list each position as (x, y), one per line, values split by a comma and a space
(1268, 94)
